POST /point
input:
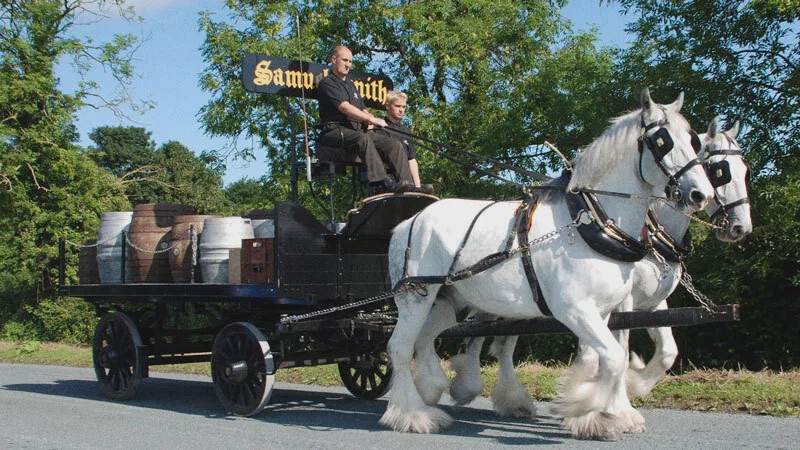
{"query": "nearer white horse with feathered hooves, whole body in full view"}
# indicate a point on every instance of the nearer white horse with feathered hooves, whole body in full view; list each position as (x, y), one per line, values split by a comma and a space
(638, 155)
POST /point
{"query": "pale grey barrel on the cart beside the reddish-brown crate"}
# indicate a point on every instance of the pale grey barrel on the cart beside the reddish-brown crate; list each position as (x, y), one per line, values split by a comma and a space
(220, 236)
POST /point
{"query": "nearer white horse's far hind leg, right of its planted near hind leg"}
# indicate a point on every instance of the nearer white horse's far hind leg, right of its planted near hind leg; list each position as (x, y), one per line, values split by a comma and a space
(430, 379)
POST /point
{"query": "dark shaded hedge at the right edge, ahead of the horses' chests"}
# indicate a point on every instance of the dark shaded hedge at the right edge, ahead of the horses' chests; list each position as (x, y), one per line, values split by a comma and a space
(762, 274)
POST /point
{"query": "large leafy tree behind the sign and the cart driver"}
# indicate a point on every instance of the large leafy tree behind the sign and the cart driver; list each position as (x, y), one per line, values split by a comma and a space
(473, 72)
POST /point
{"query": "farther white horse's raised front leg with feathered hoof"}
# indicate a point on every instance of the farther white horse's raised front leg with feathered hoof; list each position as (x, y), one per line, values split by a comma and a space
(640, 378)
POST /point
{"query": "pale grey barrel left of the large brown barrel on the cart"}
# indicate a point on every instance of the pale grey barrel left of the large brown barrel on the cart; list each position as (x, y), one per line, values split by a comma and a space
(109, 251)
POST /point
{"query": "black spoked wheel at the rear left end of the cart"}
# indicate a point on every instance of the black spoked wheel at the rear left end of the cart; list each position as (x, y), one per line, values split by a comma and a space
(116, 356)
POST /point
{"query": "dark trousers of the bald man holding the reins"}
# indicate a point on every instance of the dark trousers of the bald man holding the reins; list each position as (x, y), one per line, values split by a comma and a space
(372, 148)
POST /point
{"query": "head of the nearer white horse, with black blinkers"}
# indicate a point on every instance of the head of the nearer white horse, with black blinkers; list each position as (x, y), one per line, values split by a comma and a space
(668, 148)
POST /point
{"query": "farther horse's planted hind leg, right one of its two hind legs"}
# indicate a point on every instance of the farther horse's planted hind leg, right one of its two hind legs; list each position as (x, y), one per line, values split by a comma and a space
(509, 397)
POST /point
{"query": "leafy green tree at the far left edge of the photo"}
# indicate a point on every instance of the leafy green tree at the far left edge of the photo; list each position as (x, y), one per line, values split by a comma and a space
(47, 188)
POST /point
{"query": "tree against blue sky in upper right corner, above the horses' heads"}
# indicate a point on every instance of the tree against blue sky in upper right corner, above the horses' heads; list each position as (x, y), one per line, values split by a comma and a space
(732, 58)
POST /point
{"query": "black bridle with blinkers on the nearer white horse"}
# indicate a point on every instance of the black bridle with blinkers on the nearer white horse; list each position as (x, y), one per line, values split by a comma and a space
(660, 143)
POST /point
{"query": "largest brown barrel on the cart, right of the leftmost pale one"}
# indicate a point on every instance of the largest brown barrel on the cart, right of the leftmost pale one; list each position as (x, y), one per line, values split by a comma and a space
(149, 236)
